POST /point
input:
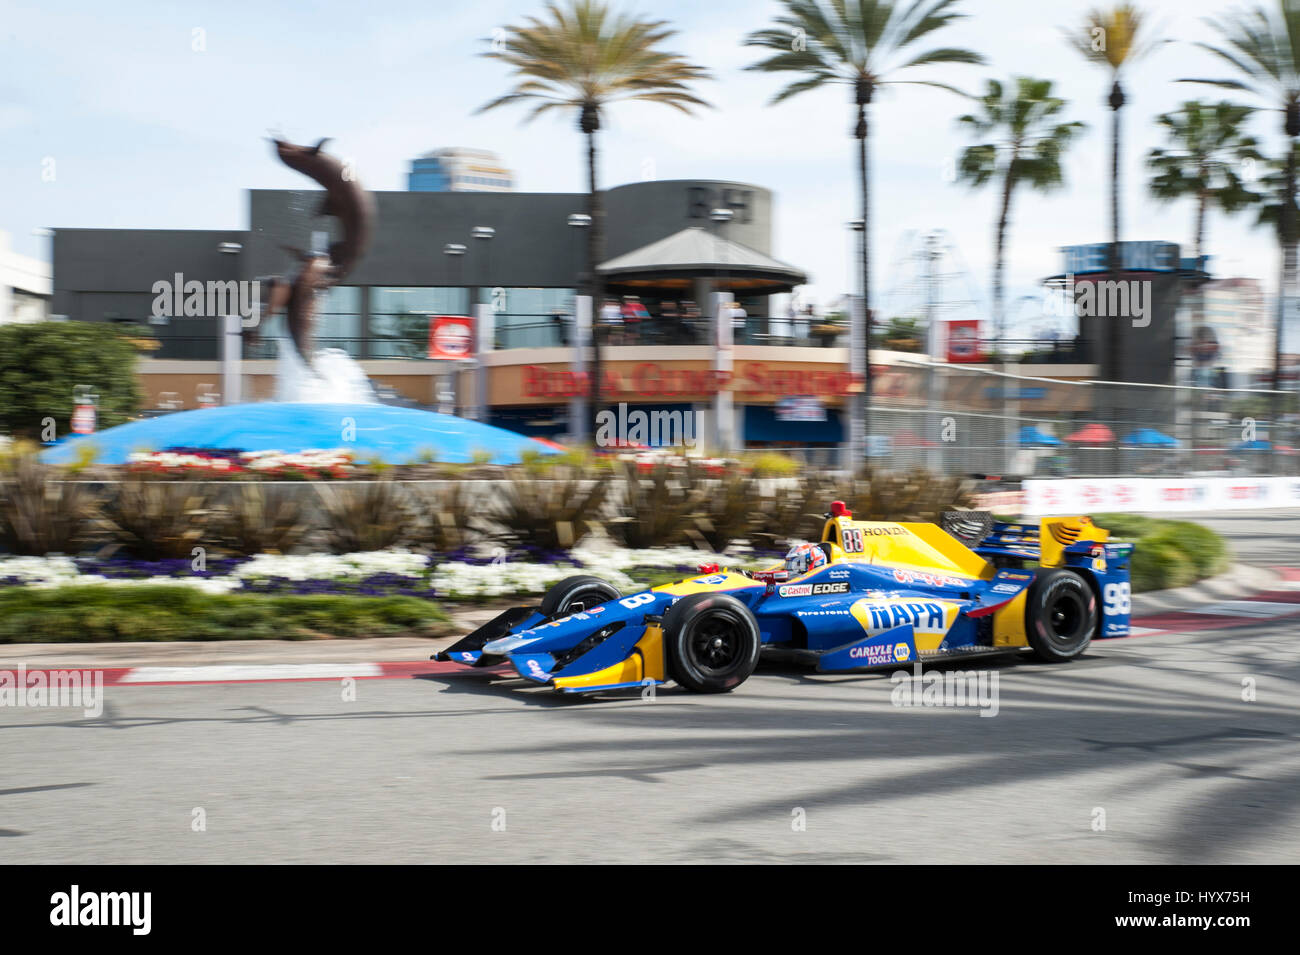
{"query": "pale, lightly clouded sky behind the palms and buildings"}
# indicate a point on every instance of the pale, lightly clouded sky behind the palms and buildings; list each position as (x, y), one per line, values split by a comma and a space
(155, 115)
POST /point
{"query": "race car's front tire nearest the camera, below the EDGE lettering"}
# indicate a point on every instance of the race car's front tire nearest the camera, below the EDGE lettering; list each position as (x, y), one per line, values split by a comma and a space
(712, 643)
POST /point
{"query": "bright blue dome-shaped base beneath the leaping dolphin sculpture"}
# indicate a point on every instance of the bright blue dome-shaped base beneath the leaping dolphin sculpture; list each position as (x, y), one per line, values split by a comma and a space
(389, 433)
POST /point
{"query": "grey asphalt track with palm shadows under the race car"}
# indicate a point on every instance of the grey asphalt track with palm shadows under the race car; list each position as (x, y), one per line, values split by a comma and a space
(1151, 731)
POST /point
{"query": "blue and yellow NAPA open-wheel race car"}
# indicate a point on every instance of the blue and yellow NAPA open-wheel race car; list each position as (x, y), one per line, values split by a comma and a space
(869, 596)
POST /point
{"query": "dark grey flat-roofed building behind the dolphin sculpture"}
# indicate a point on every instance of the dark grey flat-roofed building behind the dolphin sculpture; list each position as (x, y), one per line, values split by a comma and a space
(527, 271)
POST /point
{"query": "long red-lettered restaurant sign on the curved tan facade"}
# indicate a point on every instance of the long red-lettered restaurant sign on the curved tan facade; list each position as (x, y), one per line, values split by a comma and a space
(652, 380)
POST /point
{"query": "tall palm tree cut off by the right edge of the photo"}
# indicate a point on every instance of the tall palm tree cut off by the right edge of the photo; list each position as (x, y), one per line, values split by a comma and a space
(1264, 47)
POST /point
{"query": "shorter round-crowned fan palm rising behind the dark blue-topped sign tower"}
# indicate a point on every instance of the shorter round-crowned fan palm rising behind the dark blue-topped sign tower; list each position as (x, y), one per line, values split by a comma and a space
(1207, 150)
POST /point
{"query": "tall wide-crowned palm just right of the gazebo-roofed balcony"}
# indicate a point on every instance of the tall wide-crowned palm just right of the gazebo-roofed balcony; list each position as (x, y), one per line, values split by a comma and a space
(864, 45)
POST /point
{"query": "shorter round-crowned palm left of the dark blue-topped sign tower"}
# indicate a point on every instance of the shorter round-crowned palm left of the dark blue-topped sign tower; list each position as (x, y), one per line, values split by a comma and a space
(1028, 149)
